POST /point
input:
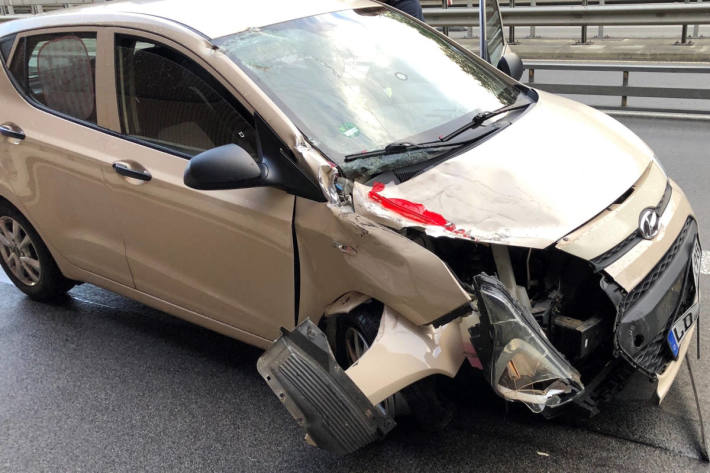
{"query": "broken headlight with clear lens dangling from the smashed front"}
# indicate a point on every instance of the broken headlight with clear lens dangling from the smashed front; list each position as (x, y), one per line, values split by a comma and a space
(520, 362)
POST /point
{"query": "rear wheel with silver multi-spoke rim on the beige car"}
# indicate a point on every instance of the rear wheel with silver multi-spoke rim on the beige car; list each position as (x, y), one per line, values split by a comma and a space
(26, 259)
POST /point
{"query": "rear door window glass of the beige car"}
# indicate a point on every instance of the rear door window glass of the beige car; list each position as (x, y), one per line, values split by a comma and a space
(59, 71)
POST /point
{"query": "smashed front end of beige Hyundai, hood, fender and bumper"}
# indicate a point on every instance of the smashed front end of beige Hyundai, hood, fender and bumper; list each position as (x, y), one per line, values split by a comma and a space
(495, 264)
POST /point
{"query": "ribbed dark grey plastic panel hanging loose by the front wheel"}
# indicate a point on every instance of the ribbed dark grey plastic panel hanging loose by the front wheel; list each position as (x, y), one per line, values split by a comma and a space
(301, 370)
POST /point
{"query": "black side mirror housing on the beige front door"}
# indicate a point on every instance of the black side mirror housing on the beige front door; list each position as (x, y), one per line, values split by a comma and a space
(225, 167)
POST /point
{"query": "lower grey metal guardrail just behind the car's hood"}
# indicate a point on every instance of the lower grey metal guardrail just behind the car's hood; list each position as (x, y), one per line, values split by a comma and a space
(624, 90)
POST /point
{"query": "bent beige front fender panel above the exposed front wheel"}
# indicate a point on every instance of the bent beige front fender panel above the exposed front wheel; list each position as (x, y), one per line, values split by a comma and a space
(341, 251)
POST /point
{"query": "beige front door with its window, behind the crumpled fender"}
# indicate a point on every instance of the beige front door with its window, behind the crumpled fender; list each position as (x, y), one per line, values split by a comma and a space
(226, 255)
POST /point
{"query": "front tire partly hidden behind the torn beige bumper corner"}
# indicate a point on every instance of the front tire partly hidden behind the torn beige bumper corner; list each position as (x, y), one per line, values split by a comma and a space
(423, 400)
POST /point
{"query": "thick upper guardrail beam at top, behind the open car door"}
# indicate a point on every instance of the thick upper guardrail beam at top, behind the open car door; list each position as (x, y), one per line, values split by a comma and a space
(577, 15)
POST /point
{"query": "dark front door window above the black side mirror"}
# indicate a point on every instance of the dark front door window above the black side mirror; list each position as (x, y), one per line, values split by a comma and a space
(168, 100)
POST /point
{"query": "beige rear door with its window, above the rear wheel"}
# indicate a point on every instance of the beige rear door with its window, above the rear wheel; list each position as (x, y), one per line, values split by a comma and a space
(56, 171)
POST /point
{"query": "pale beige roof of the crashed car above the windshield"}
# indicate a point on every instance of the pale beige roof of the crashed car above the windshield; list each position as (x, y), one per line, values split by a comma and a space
(211, 18)
